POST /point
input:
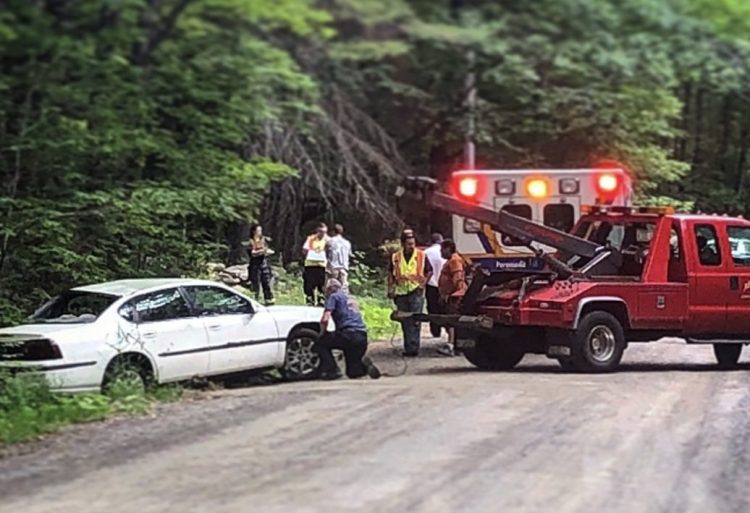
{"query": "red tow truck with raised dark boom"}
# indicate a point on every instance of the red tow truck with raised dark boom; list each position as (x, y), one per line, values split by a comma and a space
(622, 275)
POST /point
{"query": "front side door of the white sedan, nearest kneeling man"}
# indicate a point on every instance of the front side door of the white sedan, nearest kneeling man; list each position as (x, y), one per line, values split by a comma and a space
(239, 337)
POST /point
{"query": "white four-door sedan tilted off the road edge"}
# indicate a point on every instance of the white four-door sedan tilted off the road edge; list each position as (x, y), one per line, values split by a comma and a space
(159, 330)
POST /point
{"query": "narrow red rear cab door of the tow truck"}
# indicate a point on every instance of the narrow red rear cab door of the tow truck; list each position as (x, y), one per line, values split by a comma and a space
(708, 278)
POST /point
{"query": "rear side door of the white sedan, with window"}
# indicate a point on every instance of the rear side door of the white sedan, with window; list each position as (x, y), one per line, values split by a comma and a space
(168, 330)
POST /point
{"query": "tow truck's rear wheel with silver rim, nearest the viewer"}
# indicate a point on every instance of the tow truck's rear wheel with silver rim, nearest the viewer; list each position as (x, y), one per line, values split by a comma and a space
(598, 343)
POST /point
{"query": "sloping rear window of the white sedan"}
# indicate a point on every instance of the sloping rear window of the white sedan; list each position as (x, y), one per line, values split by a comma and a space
(73, 307)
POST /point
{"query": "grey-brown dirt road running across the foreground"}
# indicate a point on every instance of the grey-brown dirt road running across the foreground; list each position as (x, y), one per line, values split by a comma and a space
(667, 433)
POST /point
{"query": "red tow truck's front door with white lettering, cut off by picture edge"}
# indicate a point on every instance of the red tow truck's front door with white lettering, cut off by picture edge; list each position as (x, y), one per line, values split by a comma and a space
(738, 307)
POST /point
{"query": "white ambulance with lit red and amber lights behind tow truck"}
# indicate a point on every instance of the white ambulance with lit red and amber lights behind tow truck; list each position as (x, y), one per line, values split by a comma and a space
(554, 197)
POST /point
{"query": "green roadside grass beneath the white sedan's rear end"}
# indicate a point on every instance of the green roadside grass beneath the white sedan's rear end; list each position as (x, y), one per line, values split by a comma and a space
(28, 409)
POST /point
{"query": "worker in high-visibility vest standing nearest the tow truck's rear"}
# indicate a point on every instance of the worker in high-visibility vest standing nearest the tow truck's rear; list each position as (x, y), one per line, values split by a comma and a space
(408, 274)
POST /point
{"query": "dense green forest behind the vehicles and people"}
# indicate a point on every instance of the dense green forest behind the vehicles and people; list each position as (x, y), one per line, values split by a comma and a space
(137, 135)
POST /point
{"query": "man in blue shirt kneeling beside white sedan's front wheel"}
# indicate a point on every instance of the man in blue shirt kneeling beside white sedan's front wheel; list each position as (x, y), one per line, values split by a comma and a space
(350, 337)
